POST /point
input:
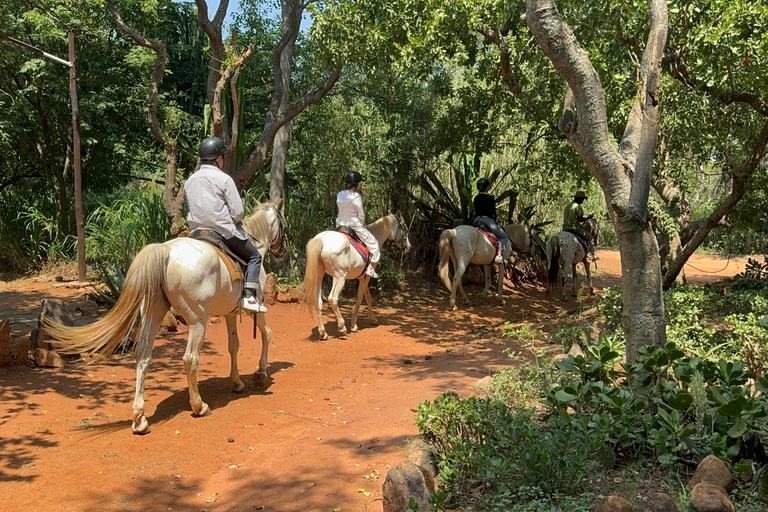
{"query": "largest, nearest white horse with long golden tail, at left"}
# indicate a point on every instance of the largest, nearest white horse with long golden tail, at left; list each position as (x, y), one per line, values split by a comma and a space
(189, 275)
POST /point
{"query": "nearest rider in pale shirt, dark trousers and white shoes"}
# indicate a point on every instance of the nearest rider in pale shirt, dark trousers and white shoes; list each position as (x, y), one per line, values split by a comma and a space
(214, 203)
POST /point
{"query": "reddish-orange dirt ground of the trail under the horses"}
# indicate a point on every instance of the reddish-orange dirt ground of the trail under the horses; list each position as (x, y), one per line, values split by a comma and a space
(336, 415)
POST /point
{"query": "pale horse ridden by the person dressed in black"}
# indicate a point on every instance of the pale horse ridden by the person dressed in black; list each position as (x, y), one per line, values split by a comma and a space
(466, 244)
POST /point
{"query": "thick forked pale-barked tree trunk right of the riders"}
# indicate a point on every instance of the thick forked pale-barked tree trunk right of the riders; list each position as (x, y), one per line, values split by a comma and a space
(587, 131)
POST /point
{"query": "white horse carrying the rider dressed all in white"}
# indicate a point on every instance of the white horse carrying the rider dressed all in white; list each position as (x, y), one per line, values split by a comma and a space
(330, 252)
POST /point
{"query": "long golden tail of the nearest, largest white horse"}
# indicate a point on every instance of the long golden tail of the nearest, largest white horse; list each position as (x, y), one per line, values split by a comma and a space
(142, 288)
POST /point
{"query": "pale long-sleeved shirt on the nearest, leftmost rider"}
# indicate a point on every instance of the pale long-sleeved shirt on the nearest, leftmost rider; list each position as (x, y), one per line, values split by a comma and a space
(214, 202)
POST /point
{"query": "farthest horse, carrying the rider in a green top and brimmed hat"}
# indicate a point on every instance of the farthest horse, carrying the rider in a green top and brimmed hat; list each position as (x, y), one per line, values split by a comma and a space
(565, 251)
